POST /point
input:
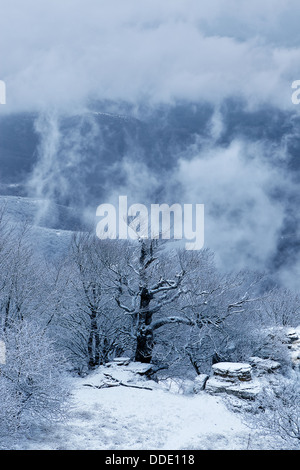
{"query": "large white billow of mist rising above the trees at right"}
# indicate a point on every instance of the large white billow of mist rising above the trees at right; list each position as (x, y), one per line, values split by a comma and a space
(236, 184)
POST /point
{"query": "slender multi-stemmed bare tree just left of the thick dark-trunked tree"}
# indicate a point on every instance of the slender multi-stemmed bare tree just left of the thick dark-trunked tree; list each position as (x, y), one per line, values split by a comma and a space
(93, 327)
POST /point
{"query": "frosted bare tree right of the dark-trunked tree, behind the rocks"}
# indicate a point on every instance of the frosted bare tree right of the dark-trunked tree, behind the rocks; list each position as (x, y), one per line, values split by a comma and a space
(223, 309)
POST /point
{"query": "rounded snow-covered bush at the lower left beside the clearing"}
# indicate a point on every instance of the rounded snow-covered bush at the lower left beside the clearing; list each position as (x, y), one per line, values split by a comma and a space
(32, 384)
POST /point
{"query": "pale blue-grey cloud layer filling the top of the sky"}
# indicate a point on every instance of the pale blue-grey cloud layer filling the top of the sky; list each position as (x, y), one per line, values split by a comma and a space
(60, 52)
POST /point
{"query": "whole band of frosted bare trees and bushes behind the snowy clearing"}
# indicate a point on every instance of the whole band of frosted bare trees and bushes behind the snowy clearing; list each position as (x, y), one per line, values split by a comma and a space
(148, 300)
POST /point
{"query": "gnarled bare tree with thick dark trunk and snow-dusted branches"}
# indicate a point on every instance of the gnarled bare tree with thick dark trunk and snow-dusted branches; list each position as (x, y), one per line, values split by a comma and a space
(148, 284)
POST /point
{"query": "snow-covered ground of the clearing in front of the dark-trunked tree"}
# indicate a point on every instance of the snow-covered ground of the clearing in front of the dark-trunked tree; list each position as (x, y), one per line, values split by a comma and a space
(125, 418)
